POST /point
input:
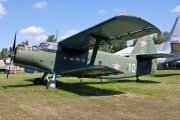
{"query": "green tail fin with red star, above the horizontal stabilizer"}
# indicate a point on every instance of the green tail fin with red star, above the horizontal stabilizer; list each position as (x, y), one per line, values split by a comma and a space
(144, 45)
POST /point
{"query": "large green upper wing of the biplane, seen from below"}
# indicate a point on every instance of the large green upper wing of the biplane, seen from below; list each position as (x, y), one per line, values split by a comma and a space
(119, 28)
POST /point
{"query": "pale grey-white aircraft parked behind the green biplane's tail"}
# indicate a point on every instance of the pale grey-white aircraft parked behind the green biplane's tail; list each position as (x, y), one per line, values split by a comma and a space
(170, 46)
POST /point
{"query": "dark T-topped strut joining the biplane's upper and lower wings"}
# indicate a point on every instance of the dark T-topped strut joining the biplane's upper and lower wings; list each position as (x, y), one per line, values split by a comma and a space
(96, 46)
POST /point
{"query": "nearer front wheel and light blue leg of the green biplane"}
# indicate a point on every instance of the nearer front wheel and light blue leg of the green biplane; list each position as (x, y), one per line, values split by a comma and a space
(51, 84)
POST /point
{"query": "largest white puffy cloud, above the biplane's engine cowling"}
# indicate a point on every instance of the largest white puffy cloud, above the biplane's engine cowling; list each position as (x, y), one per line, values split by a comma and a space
(33, 33)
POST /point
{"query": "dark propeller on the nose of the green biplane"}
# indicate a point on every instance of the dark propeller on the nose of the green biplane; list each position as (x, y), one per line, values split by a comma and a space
(12, 53)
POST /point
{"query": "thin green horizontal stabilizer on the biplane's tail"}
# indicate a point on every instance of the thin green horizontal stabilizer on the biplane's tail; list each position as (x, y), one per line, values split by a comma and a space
(157, 55)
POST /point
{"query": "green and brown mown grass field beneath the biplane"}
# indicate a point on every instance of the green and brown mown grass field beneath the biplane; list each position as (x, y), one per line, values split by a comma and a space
(156, 96)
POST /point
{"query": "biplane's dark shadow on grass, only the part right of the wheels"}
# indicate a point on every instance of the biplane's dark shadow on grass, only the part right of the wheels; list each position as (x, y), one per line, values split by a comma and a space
(84, 90)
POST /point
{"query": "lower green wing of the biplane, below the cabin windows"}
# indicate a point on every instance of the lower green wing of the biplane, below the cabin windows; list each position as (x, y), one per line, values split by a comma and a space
(91, 71)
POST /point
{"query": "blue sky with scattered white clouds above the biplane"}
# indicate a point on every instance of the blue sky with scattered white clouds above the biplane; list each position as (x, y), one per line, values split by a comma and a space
(35, 20)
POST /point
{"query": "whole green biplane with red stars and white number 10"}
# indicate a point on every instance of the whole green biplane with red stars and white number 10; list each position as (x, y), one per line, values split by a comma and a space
(78, 55)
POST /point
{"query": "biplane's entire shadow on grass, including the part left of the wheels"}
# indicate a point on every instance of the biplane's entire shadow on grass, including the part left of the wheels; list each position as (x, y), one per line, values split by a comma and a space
(83, 89)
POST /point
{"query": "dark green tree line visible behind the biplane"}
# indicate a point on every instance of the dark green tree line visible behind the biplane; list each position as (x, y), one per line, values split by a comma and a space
(158, 38)
